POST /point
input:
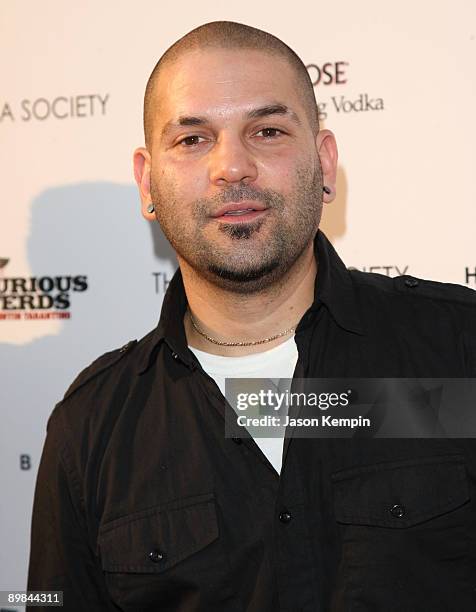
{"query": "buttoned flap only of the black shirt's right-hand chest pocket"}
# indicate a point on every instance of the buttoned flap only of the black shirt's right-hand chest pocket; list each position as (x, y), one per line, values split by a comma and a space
(400, 494)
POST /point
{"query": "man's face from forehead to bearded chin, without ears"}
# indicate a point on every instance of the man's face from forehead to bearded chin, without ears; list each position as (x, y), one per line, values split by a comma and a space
(234, 171)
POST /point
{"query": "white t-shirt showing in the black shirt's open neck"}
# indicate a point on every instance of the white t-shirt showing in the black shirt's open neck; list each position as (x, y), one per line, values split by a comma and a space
(278, 362)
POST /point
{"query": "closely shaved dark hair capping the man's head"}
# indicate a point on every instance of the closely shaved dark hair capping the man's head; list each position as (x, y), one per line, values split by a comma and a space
(229, 35)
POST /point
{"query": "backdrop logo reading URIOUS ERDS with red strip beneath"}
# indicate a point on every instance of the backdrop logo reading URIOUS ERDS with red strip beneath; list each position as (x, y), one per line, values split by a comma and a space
(37, 297)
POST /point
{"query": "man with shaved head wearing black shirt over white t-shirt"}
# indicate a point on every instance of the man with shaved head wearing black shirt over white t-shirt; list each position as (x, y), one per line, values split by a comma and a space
(142, 503)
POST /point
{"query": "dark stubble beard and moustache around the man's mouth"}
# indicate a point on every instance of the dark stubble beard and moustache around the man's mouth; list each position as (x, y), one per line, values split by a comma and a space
(256, 254)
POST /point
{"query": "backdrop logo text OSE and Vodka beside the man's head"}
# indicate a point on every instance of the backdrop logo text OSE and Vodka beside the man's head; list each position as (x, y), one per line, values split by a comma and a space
(336, 74)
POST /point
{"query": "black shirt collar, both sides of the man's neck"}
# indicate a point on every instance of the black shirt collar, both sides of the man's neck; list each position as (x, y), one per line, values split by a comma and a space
(333, 288)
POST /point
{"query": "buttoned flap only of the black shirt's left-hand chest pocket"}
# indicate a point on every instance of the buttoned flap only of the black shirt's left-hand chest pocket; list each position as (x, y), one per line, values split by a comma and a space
(153, 540)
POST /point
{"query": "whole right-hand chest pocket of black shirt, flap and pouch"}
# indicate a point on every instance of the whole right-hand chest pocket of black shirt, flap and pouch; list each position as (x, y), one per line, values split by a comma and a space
(404, 530)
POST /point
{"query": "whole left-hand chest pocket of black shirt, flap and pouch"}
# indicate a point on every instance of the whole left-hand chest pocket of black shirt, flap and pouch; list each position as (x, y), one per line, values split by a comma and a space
(166, 557)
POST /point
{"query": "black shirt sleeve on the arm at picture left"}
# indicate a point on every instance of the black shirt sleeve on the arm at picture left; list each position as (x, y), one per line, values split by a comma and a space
(61, 556)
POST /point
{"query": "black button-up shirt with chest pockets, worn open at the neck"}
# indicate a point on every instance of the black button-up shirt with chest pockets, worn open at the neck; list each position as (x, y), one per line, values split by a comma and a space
(142, 504)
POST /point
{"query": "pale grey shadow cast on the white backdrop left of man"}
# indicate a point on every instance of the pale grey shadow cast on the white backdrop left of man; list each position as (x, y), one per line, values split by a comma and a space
(96, 230)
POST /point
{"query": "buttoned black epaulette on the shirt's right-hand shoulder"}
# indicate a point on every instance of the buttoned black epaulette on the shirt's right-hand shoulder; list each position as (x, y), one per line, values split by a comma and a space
(417, 289)
